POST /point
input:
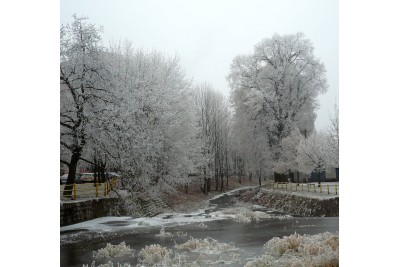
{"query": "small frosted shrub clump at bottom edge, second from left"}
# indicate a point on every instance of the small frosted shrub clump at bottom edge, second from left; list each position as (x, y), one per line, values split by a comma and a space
(154, 255)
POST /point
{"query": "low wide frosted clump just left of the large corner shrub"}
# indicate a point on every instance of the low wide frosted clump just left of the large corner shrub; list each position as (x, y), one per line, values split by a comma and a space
(206, 246)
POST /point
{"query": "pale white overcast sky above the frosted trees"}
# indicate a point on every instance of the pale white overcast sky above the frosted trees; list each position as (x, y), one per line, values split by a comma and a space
(207, 34)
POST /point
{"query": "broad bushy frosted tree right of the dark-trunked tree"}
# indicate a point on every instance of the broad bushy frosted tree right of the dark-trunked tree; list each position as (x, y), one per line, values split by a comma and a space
(152, 130)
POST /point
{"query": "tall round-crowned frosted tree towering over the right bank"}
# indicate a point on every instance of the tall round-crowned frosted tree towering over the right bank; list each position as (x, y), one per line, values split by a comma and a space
(279, 82)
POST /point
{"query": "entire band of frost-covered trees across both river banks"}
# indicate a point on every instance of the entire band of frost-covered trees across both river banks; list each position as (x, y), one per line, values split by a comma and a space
(160, 131)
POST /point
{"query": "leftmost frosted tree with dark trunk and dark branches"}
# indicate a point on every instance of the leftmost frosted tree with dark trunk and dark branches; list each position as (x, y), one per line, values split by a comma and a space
(84, 88)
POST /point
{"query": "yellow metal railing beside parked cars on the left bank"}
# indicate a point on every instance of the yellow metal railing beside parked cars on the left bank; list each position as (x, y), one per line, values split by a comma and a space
(88, 190)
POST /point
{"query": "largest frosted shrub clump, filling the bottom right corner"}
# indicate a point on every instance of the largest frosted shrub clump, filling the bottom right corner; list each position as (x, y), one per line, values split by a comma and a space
(297, 250)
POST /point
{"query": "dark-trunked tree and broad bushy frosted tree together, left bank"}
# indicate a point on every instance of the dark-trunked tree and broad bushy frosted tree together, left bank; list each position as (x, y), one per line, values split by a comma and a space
(133, 106)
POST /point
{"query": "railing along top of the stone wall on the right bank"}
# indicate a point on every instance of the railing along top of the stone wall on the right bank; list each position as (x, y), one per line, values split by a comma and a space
(308, 187)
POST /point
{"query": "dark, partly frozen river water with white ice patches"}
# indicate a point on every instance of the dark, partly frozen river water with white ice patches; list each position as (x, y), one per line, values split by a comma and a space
(78, 243)
